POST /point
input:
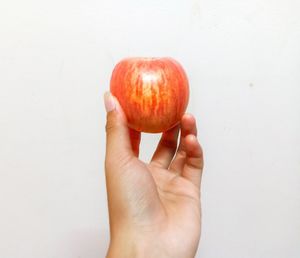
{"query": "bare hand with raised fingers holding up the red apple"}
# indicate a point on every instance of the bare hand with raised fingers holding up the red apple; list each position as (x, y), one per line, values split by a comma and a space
(154, 209)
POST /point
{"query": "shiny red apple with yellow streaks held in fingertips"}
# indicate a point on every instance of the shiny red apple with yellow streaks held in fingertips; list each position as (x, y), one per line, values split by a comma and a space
(153, 92)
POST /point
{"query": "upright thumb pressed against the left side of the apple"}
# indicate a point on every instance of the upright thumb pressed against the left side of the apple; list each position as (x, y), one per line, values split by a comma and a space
(118, 145)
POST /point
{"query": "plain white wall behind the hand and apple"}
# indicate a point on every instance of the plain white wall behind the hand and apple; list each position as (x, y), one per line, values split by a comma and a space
(243, 61)
